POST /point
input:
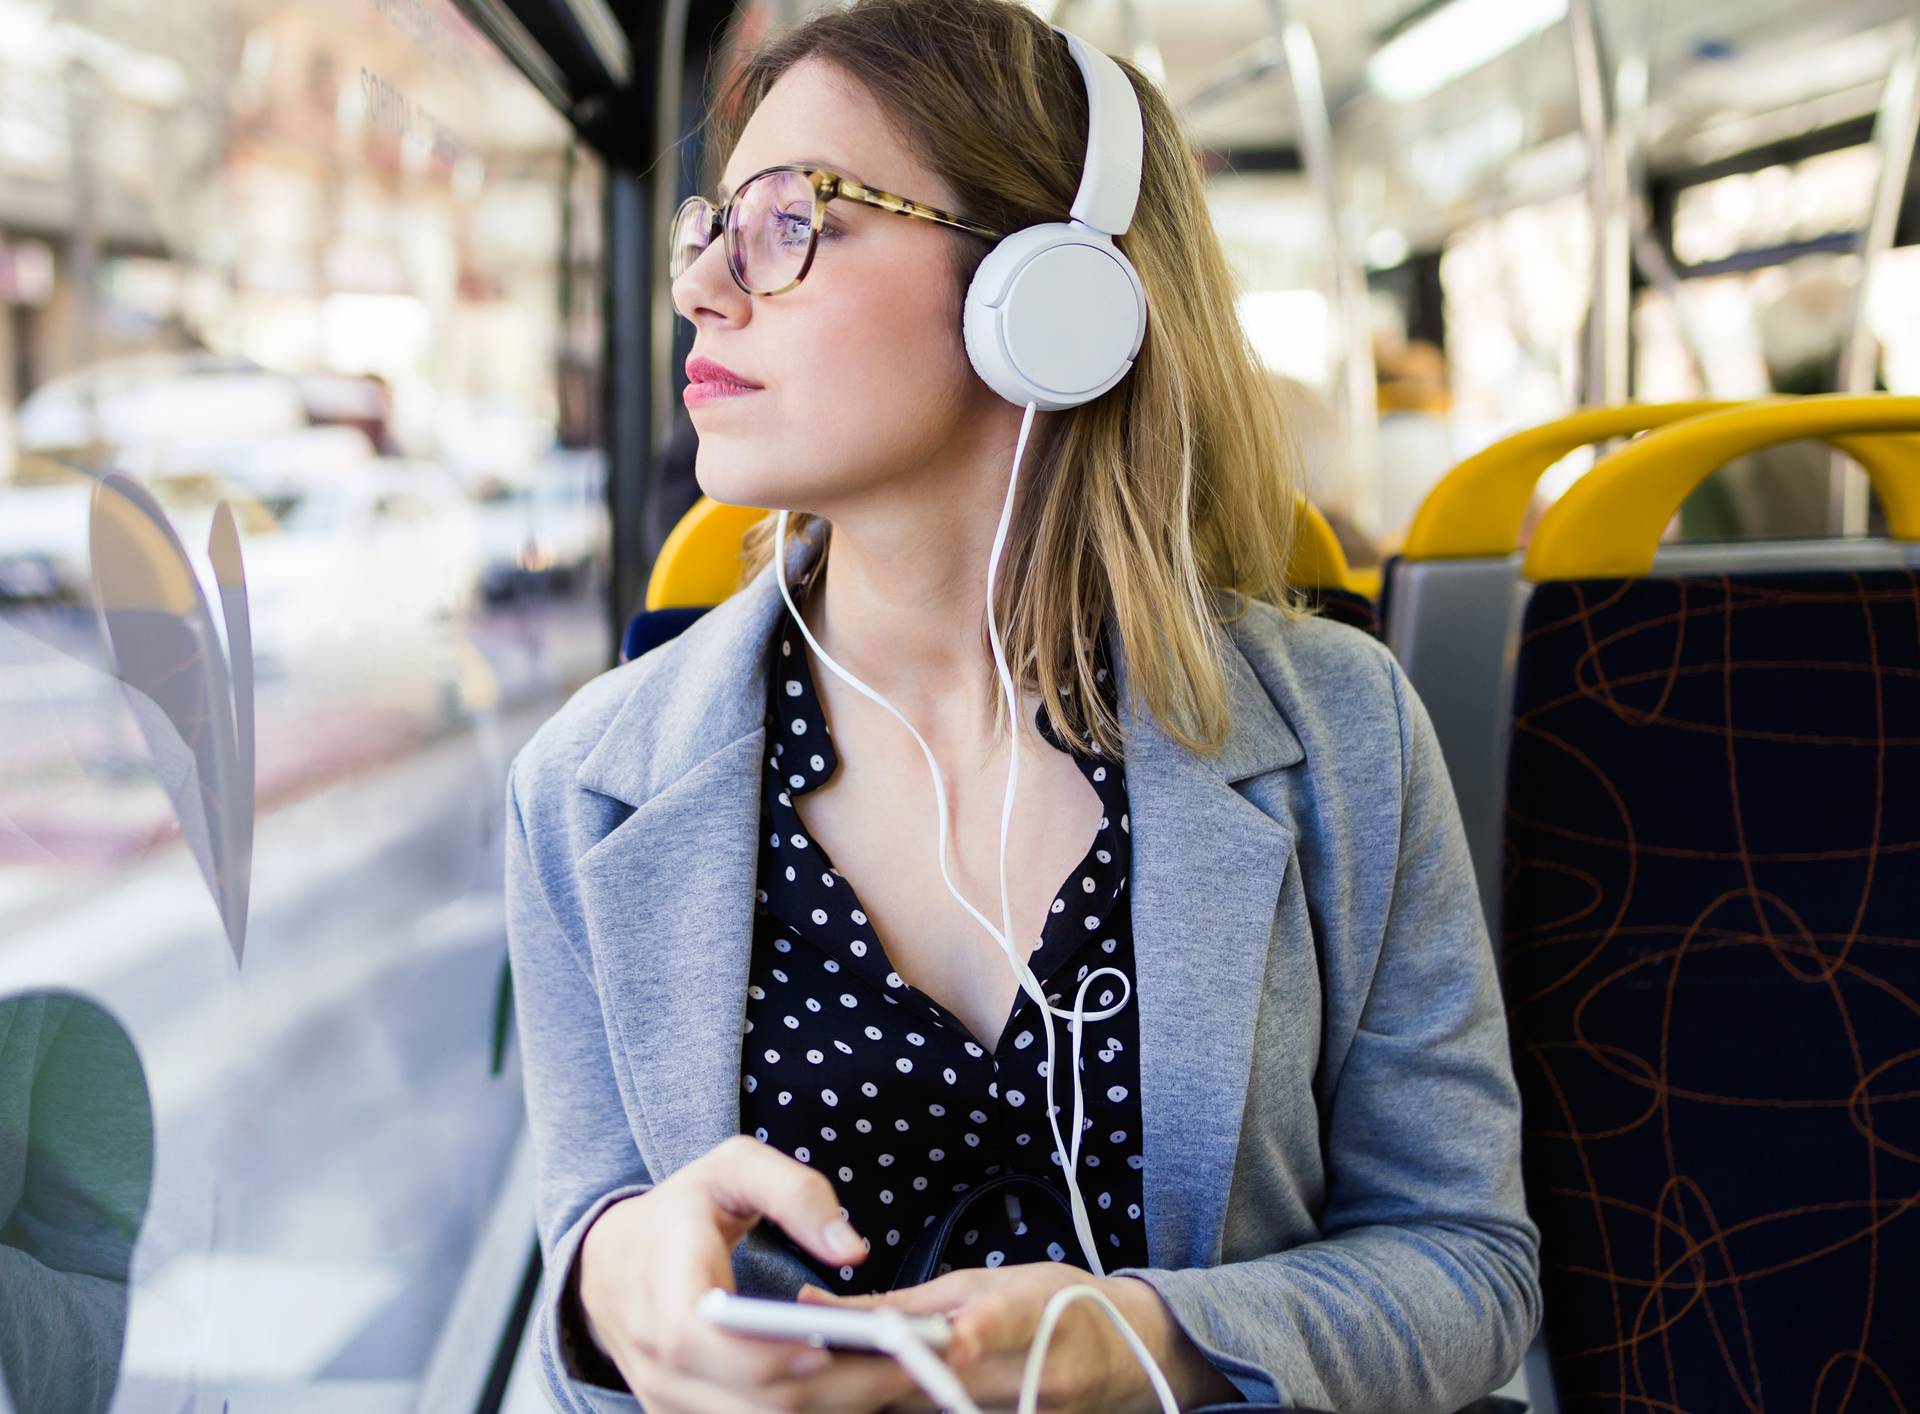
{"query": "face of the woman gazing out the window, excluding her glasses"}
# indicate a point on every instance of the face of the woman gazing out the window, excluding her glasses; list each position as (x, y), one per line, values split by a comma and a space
(863, 370)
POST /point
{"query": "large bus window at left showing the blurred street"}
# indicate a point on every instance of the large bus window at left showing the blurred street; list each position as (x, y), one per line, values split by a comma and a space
(302, 533)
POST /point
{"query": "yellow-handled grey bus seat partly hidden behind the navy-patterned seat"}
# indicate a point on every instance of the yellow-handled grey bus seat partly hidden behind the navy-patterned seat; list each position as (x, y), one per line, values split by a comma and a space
(1449, 600)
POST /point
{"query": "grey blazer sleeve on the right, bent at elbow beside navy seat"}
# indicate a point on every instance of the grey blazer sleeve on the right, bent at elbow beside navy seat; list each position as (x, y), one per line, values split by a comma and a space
(1424, 1294)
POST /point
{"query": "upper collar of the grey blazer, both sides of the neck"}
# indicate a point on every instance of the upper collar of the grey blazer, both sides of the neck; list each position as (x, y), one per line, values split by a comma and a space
(706, 691)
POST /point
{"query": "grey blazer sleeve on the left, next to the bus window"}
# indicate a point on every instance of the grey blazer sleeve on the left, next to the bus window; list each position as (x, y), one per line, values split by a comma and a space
(585, 1152)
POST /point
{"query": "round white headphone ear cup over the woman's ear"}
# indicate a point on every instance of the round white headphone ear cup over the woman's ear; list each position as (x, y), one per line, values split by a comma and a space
(1055, 316)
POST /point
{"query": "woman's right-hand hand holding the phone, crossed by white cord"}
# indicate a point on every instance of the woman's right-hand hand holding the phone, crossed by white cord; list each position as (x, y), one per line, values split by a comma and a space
(1090, 1367)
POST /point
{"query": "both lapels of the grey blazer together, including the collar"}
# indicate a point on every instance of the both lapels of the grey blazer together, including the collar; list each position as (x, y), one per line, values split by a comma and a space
(669, 902)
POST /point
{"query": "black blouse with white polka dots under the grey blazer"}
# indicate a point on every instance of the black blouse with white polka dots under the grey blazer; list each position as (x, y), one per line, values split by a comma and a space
(886, 1092)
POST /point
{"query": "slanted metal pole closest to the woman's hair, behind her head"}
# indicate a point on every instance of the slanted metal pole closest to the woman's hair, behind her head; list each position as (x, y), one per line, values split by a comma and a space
(1353, 374)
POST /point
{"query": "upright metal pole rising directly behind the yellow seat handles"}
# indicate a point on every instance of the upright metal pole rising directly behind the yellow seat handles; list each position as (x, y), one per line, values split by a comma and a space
(1604, 372)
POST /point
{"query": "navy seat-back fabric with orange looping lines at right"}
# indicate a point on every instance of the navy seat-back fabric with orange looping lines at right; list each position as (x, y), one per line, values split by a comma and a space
(1712, 944)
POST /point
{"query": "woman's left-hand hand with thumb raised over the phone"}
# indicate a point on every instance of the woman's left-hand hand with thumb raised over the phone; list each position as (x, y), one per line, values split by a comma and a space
(648, 1259)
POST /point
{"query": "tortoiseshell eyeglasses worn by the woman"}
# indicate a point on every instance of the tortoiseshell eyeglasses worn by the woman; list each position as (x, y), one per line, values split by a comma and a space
(773, 226)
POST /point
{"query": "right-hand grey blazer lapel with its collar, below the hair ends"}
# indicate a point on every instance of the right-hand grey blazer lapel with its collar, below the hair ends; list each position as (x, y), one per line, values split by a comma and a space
(1207, 885)
